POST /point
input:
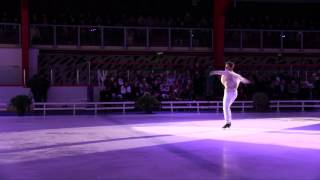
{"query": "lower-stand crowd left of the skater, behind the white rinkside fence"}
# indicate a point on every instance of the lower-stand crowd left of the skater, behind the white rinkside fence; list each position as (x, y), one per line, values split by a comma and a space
(163, 85)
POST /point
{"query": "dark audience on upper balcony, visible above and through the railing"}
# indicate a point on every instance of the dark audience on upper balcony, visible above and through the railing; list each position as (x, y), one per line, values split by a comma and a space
(185, 19)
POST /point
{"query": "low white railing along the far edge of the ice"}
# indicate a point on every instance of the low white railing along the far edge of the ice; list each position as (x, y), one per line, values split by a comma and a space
(172, 106)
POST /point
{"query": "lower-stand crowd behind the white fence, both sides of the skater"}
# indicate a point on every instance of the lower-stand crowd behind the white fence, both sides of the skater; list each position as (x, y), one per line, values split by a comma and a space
(195, 84)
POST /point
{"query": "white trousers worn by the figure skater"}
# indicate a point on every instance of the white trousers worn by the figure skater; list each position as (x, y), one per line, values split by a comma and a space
(229, 97)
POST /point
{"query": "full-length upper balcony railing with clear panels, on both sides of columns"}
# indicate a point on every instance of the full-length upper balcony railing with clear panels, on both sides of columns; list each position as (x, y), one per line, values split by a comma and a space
(102, 37)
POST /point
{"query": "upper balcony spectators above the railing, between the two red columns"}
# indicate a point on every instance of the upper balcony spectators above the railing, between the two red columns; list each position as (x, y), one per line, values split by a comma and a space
(185, 20)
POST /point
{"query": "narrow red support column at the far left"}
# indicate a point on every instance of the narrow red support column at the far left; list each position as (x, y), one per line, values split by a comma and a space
(25, 39)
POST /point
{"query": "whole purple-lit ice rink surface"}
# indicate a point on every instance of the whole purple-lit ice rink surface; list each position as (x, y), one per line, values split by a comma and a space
(284, 146)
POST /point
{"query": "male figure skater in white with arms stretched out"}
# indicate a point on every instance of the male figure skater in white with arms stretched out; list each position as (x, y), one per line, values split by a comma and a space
(230, 81)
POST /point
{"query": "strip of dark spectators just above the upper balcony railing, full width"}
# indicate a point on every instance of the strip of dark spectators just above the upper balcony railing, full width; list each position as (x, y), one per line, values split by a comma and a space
(186, 20)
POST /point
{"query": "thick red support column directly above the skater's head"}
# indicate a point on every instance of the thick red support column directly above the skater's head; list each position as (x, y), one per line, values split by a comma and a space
(220, 7)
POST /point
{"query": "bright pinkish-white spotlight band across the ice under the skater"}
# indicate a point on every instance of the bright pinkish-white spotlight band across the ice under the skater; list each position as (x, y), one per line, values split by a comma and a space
(53, 143)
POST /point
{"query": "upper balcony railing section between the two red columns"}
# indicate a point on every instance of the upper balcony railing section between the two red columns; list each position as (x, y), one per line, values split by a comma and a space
(119, 36)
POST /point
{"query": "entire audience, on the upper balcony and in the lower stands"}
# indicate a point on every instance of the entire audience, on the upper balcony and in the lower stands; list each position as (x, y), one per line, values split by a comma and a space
(194, 84)
